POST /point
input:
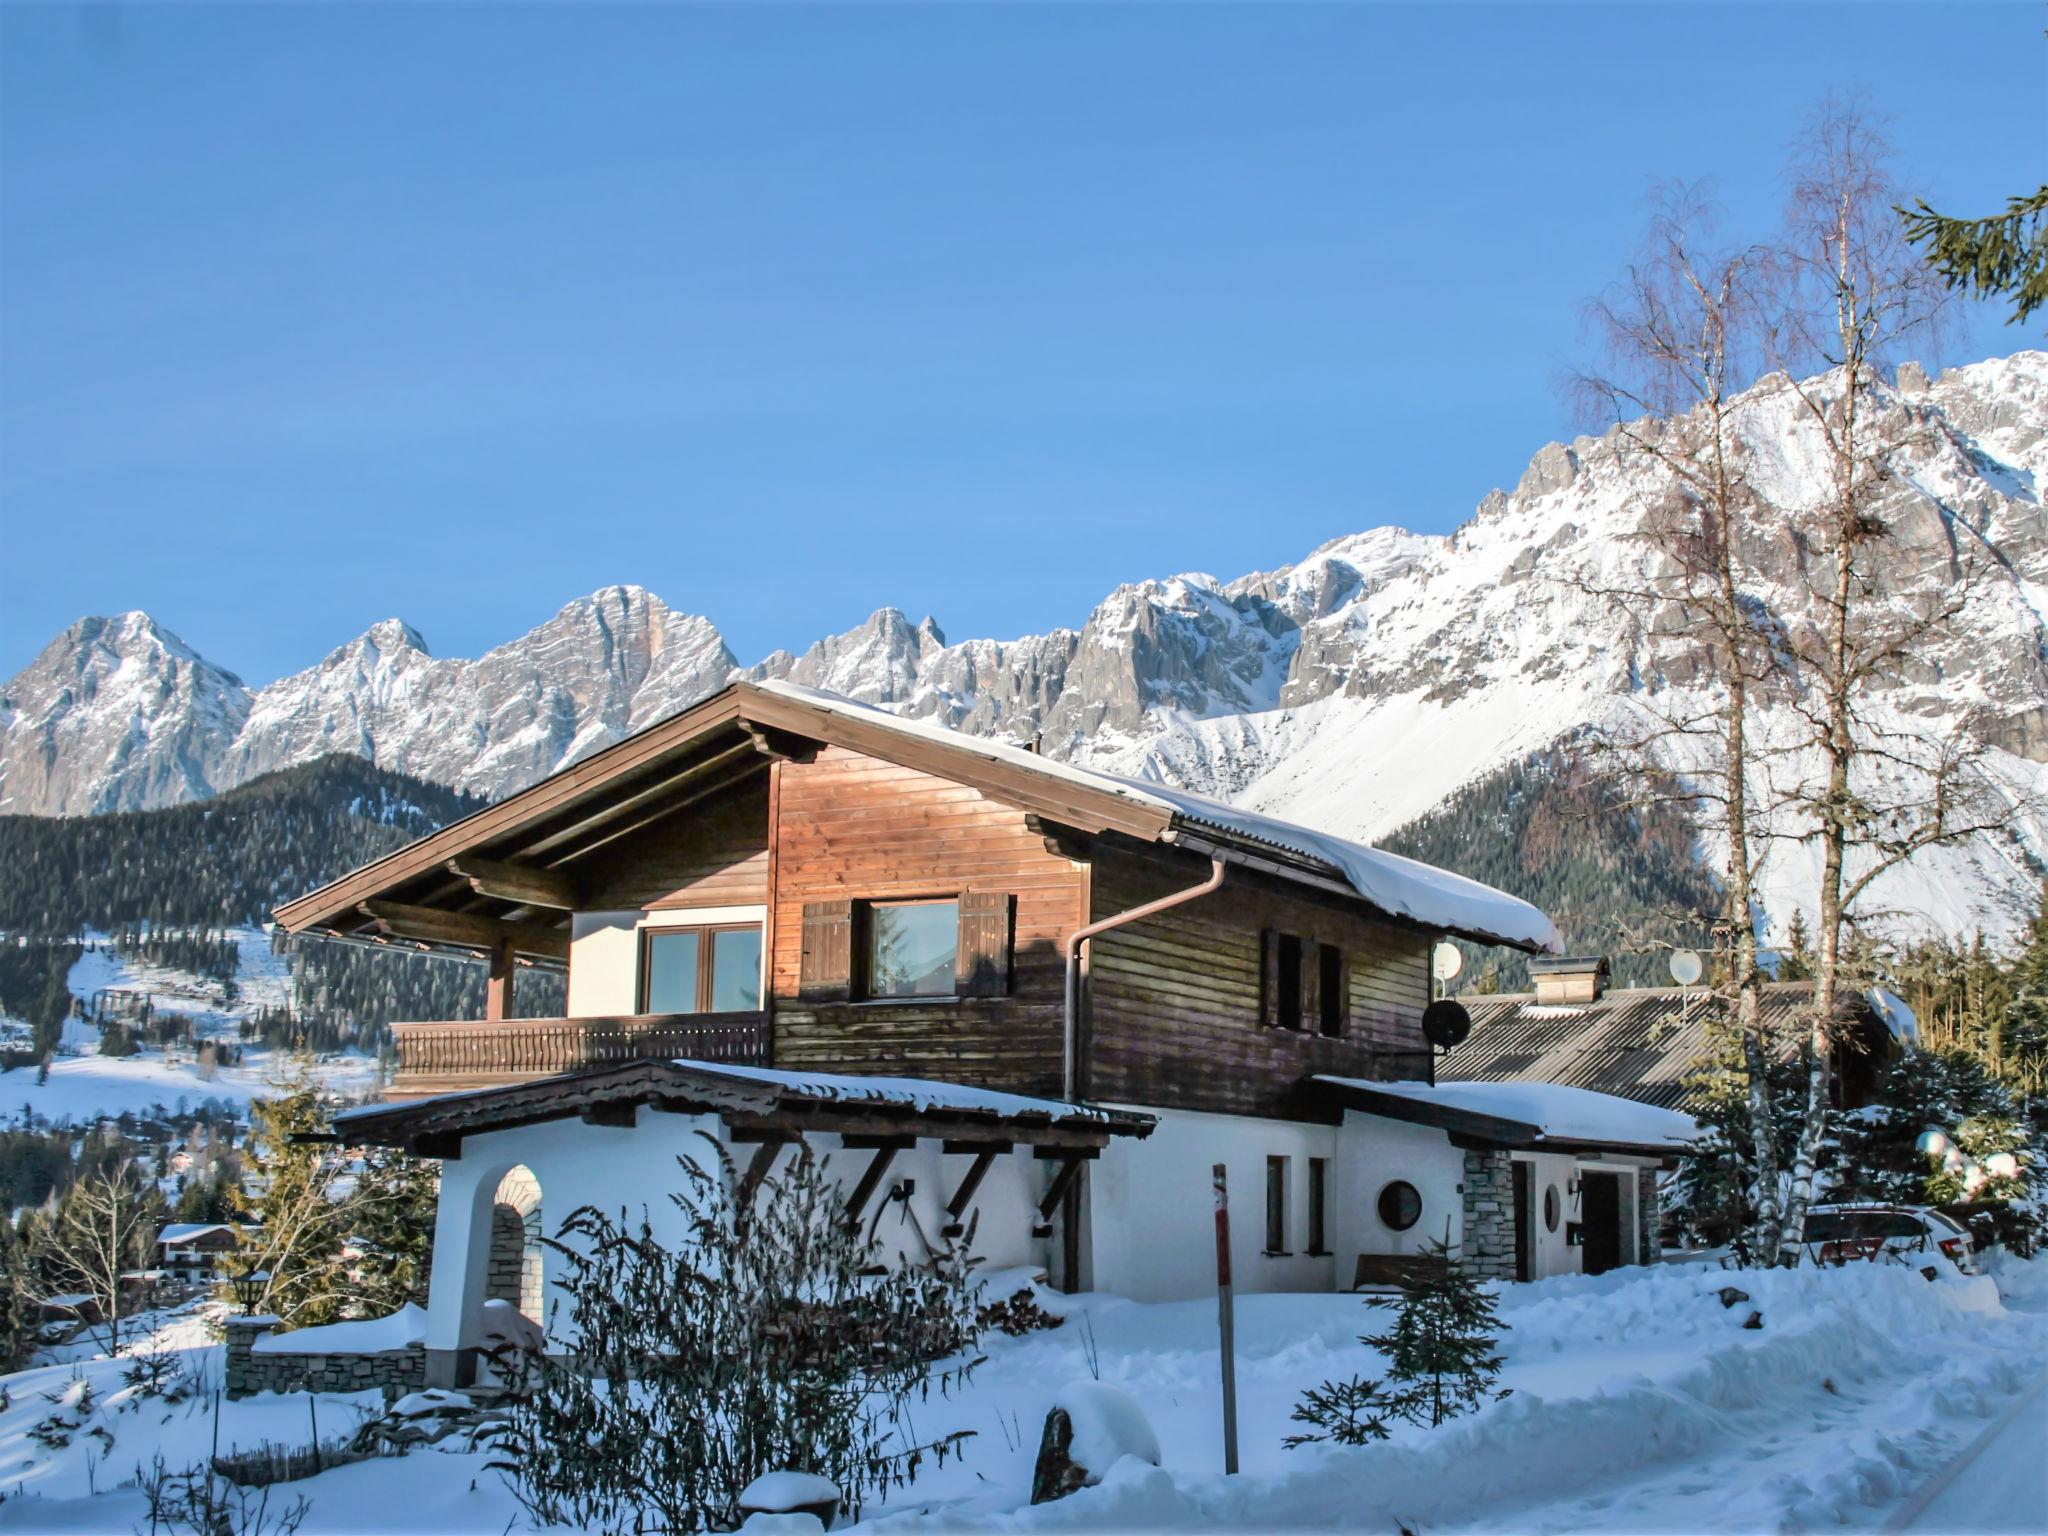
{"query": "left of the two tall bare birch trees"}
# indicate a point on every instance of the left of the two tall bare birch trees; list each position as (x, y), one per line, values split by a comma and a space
(1682, 335)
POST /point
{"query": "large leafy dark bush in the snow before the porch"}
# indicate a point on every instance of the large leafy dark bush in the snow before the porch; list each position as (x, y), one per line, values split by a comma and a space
(769, 1340)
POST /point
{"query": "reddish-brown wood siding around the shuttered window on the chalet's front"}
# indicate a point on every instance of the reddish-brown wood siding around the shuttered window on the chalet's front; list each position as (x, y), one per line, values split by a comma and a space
(855, 828)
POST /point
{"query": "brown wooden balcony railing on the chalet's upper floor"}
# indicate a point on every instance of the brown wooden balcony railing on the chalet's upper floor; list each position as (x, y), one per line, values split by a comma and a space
(490, 1054)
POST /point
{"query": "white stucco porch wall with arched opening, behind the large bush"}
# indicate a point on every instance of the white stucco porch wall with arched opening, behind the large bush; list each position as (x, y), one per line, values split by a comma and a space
(636, 1170)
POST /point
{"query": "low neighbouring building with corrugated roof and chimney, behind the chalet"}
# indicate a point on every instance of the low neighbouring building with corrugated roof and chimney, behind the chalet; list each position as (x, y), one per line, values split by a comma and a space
(1644, 1043)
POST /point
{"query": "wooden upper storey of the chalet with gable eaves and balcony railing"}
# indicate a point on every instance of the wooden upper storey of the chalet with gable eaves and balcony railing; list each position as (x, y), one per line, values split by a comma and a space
(777, 810)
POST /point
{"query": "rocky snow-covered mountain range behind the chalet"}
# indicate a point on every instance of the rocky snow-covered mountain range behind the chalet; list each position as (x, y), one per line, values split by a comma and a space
(1355, 689)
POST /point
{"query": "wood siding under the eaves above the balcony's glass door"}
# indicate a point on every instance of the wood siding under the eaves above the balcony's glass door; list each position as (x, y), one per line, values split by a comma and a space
(710, 855)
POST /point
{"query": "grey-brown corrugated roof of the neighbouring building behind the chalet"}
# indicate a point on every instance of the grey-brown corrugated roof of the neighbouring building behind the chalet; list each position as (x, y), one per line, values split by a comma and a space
(1637, 1043)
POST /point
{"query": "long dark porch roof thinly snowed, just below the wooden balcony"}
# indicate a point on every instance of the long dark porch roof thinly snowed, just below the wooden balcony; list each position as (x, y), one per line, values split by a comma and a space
(757, 1101)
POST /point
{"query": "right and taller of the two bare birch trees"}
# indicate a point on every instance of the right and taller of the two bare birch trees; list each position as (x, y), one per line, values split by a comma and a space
(1873, 792)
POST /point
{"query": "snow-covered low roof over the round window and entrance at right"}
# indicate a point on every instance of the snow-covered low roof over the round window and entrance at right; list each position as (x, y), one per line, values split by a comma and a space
(1529, 1117)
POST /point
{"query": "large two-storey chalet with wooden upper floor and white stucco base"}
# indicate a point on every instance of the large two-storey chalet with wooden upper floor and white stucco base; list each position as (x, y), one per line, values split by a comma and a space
(1005, 994)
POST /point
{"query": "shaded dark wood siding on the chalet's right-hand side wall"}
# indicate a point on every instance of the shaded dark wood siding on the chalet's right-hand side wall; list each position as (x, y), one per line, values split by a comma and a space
(1175, 1002)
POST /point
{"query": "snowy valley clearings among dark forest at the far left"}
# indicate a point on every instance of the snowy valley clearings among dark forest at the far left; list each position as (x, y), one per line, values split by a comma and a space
(87, 1086)
